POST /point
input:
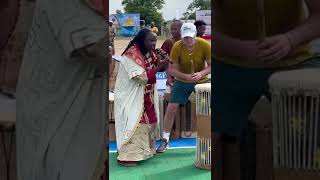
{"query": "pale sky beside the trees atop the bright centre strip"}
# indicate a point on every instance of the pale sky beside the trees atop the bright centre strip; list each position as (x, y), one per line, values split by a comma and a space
(168, 11)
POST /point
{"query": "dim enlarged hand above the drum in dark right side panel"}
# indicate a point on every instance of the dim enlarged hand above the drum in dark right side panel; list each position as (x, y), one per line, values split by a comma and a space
(273, 49)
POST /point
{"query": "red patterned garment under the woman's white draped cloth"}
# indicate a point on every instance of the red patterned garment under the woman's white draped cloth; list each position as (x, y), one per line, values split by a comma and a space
(148, 62)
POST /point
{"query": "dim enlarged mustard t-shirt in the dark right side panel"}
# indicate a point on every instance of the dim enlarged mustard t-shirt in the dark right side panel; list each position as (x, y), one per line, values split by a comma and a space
(239, 19)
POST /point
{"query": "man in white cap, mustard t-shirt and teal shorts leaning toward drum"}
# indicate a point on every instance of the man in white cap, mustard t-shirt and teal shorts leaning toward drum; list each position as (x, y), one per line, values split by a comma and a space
(190, 64)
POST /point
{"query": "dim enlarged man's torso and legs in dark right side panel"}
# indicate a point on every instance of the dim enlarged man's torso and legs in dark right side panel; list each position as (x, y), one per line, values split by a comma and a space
(246, 53)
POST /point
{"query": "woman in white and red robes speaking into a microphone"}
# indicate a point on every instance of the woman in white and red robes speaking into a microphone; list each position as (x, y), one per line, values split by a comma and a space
(136, 108)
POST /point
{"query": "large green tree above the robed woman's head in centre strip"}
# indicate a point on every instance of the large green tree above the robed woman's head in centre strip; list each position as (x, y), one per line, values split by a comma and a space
(148, 9)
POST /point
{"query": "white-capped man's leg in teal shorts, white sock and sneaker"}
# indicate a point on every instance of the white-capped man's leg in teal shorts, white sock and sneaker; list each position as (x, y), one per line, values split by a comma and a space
(180, 94)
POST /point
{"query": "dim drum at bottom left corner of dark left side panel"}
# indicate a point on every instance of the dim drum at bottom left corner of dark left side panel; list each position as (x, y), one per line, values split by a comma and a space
(7, 139)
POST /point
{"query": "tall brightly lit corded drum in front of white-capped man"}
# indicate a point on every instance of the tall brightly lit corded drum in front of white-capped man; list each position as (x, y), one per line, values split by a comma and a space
(203, 114)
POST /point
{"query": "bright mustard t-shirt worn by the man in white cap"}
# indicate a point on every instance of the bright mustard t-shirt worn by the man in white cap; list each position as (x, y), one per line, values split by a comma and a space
(199, 55)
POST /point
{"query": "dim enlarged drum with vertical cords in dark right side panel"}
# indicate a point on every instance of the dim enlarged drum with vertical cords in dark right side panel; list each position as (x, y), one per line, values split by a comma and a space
(296, 126)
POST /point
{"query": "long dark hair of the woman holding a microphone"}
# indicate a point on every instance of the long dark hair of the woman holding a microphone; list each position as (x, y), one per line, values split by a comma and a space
(139, 40)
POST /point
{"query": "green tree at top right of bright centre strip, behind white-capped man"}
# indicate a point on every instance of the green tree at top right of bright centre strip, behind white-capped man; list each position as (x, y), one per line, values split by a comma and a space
(197, 5)
